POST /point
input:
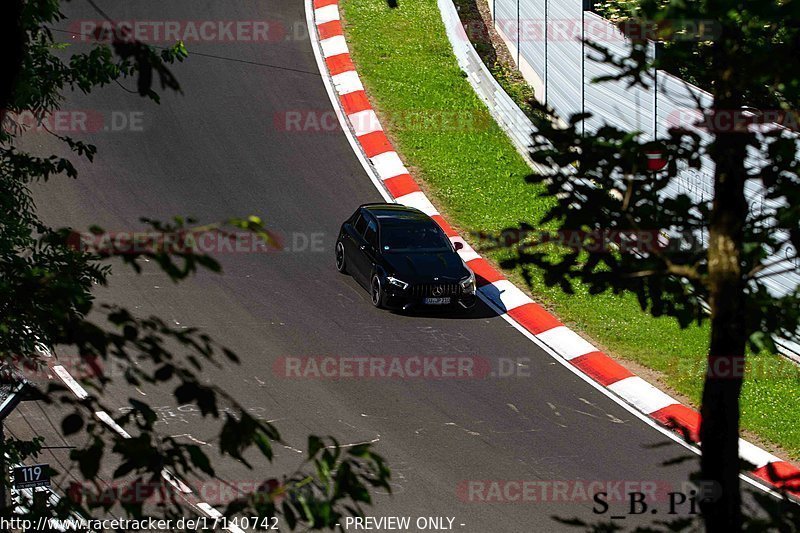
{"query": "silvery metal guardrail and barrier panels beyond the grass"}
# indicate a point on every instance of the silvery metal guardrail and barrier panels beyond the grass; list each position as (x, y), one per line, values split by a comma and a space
(545, 38)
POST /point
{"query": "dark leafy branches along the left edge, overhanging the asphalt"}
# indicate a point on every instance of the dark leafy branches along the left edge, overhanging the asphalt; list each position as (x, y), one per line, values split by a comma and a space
(46, 301)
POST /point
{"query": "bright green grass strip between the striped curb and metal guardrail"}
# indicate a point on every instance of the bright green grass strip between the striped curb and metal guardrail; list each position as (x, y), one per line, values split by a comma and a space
(477, 178)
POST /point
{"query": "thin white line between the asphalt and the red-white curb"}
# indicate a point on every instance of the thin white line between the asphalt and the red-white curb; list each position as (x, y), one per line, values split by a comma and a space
(388, 197)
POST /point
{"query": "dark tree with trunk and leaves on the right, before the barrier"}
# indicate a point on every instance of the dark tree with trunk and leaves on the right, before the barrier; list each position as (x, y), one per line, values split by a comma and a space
(683, 257)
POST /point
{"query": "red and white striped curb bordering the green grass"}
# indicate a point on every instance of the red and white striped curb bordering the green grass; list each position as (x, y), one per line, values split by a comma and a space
(396, 184)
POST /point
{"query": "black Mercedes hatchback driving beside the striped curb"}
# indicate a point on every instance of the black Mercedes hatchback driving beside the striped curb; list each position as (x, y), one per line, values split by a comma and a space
(403, 258)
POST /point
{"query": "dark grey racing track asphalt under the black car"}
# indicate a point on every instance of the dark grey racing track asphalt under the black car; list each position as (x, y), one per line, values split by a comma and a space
(216, 152)
